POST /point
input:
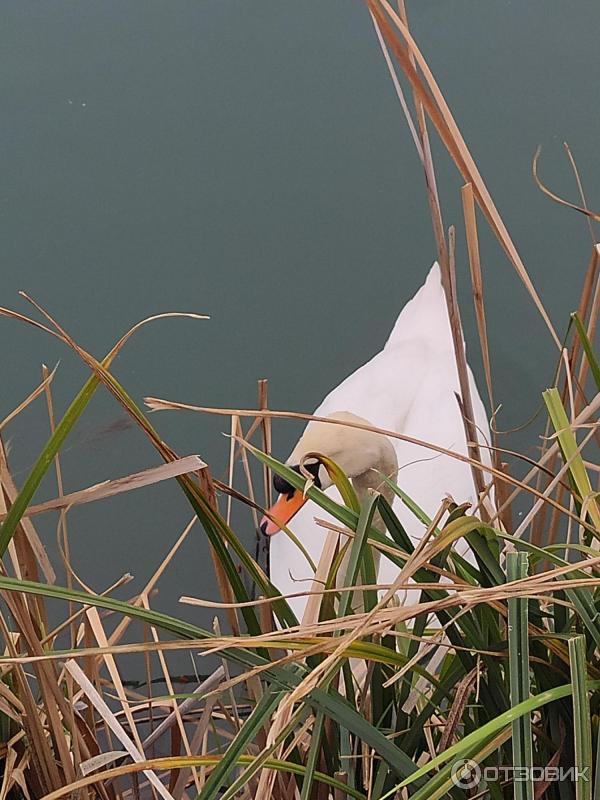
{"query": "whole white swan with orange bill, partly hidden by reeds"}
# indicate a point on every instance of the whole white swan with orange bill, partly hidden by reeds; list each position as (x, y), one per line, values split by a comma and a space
(409, 387)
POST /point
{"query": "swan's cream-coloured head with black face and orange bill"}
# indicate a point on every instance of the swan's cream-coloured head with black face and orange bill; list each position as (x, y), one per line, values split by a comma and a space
(357, 451)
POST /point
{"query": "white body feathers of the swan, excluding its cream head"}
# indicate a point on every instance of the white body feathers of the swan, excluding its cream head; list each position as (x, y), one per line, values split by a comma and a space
(409, 387)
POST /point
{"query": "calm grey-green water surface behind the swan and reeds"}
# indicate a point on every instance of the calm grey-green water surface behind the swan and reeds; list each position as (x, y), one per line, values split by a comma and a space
(250, 160)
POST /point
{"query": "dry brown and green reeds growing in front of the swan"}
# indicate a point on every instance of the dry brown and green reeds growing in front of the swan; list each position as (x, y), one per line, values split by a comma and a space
(370, 704)
